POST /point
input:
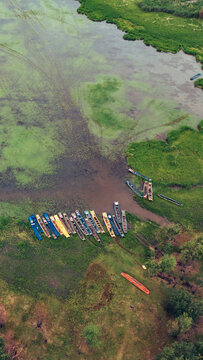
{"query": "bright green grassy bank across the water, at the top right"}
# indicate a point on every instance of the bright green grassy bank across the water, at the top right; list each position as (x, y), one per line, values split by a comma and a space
(163, 31)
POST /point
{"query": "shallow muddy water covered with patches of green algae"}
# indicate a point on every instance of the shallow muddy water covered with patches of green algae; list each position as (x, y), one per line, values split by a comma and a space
(62, 76)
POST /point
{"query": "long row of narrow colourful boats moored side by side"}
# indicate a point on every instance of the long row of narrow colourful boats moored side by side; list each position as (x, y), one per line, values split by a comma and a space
(87, 225)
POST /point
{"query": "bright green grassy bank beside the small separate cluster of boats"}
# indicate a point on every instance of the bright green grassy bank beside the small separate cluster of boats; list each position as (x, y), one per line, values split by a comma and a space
(175, 167)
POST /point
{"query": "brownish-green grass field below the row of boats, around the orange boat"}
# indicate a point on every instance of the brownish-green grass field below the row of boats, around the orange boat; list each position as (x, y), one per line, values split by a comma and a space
(52, 290)
